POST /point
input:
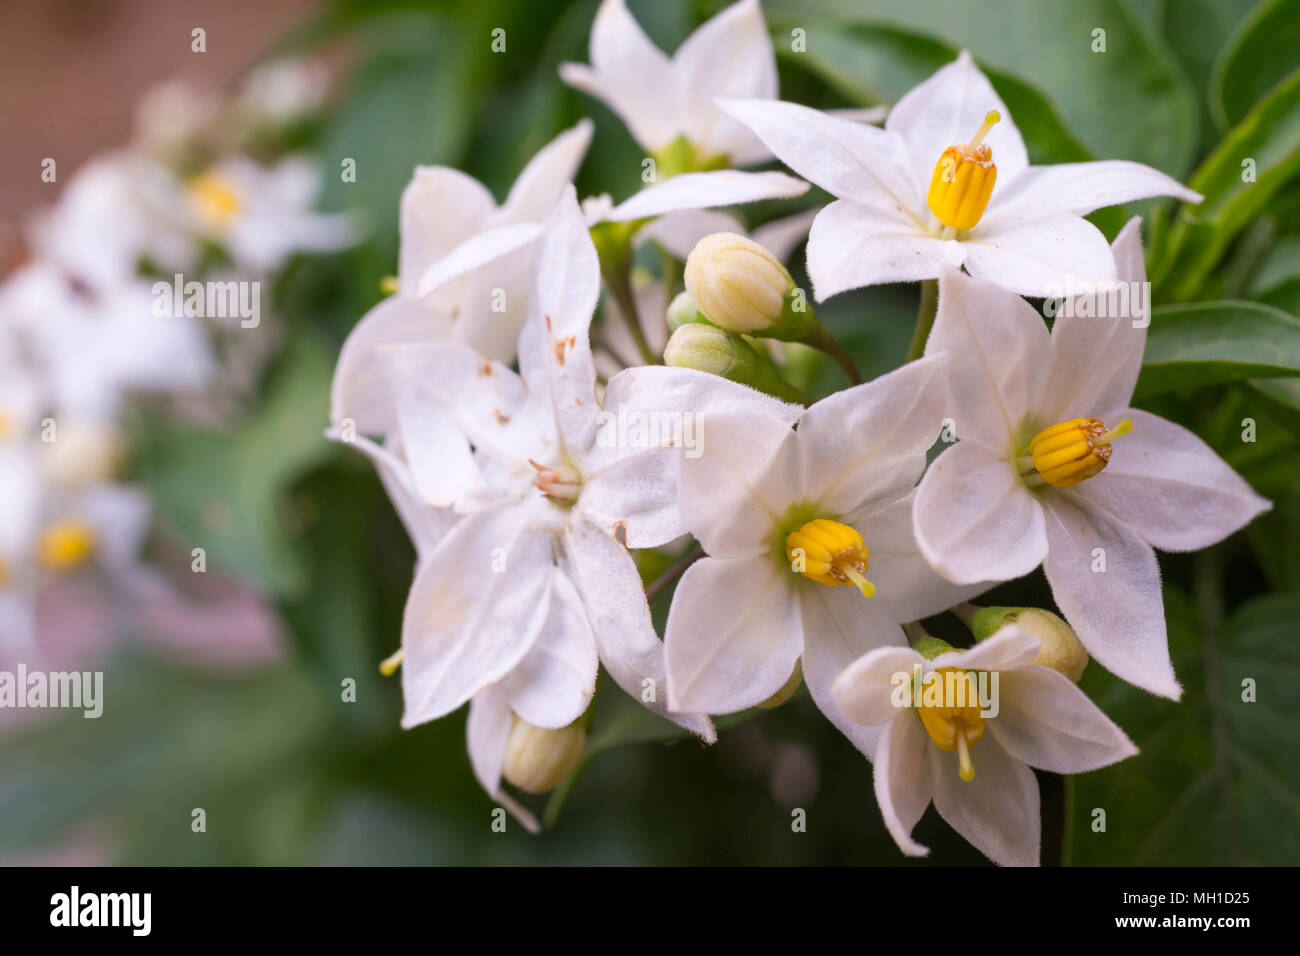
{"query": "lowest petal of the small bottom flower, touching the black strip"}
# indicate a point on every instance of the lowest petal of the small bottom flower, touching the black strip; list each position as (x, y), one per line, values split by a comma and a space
(999, 811)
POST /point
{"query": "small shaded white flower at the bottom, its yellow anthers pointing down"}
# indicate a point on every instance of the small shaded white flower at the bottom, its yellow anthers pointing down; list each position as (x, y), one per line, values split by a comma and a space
(937, 742)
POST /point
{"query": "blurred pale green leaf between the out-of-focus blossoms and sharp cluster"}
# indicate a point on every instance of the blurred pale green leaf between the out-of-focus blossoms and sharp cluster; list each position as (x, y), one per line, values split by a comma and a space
(224, 490)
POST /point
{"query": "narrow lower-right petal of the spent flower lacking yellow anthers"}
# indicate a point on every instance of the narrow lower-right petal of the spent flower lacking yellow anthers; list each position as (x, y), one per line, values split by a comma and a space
(629, 647)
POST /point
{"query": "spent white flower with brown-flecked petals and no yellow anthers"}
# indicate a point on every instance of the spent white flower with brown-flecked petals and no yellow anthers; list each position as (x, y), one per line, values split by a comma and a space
(534, 582)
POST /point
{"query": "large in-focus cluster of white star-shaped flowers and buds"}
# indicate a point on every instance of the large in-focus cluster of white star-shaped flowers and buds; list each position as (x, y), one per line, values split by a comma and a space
(824, 531)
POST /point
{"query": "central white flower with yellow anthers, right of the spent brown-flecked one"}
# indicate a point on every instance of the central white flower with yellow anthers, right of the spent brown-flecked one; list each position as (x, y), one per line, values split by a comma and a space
(833, 499)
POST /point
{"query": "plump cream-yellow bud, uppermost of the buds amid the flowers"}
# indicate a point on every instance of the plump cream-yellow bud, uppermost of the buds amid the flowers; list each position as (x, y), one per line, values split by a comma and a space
(739, 284)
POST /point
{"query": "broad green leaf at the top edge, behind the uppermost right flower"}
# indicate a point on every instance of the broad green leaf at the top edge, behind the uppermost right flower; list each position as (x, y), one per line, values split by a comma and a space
(1130, 102)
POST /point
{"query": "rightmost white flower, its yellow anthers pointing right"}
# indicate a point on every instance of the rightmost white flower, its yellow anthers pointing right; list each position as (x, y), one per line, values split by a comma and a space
(1097, 498)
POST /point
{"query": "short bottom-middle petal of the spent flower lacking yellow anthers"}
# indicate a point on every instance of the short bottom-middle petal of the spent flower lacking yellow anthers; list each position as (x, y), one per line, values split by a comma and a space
(554, 682)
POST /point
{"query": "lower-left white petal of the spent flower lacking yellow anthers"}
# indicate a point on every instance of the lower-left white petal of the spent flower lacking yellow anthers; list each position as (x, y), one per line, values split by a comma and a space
(466, 624)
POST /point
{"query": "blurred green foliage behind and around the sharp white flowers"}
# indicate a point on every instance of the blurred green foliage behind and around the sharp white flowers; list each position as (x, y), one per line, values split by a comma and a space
(291, 775)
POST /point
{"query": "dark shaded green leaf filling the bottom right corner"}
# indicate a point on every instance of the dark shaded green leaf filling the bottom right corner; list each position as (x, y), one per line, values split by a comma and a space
(1216, 782)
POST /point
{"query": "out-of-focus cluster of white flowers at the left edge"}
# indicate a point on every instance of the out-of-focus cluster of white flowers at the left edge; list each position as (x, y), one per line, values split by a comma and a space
(141, 284)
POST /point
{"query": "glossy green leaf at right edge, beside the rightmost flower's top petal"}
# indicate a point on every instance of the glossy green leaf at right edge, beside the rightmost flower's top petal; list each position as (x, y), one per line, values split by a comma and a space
(1215, 343)
